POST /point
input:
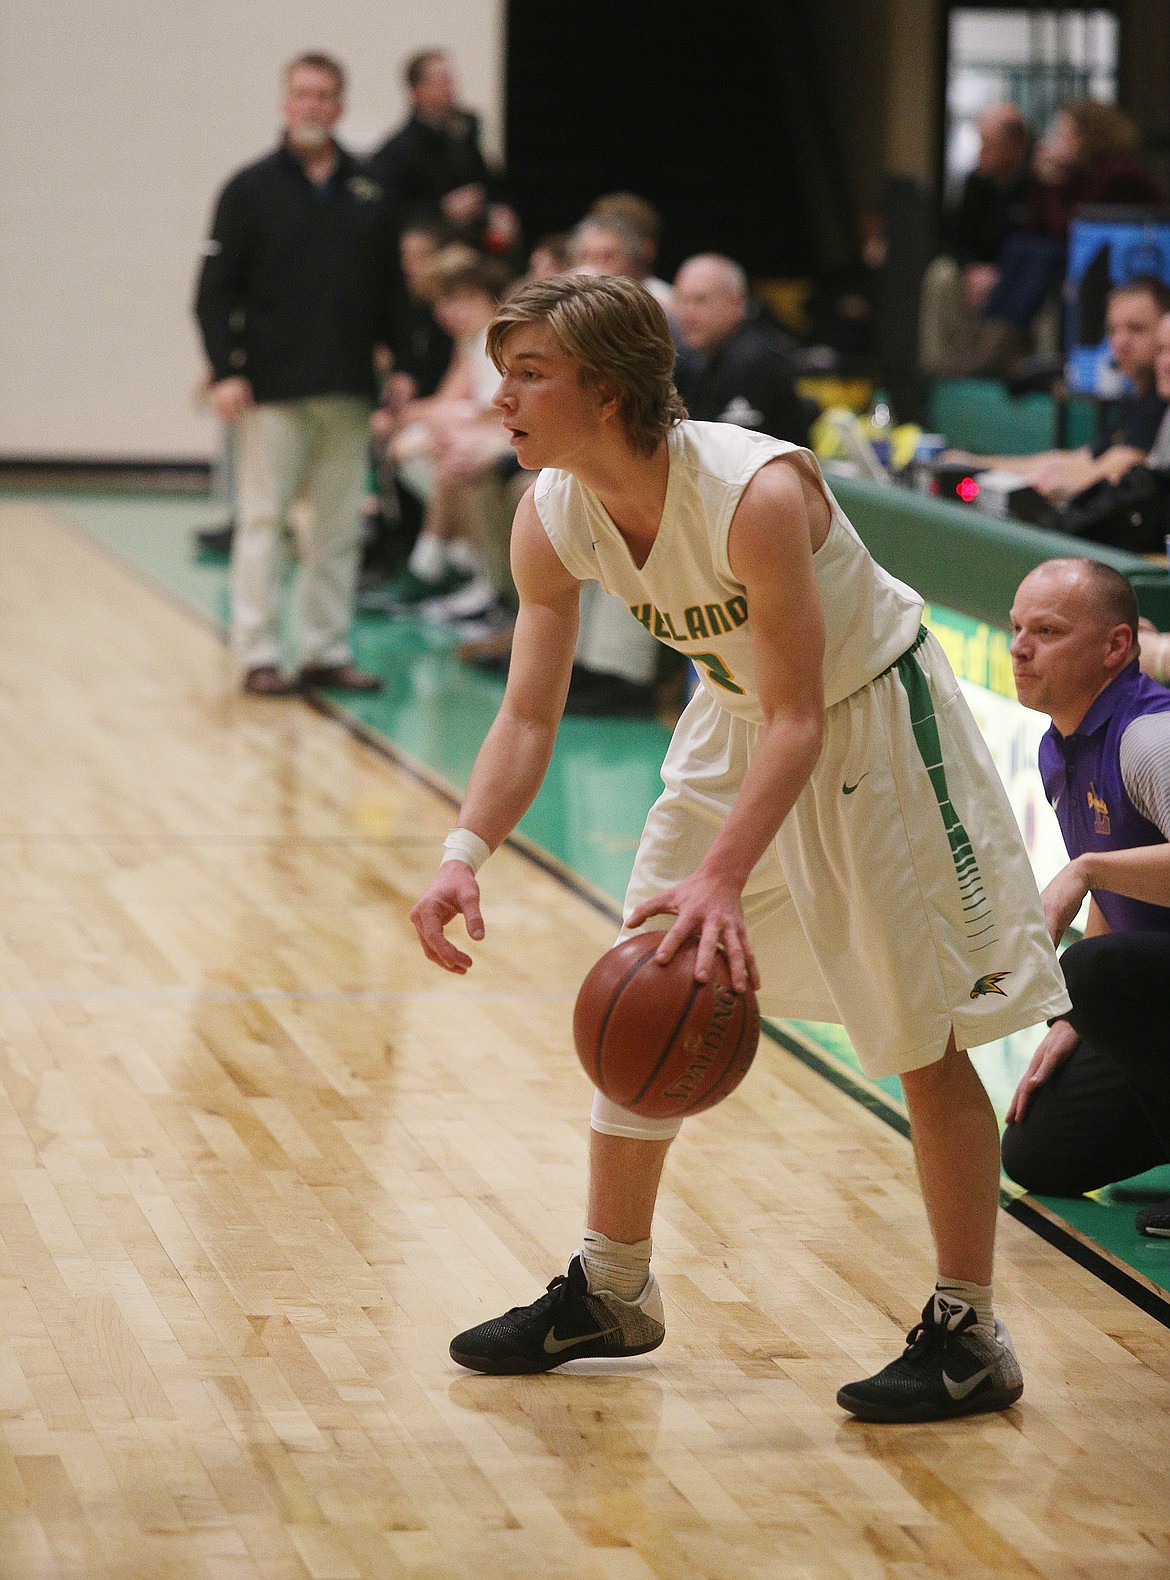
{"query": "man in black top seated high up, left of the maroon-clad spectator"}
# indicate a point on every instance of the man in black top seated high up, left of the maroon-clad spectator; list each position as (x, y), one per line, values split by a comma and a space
(991, 208)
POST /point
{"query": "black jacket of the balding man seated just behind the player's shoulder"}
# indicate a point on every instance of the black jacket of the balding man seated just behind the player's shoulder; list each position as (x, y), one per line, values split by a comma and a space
(748, 382)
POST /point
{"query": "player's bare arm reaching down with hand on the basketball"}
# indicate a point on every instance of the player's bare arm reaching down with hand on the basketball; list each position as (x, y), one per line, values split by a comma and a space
(781, 521)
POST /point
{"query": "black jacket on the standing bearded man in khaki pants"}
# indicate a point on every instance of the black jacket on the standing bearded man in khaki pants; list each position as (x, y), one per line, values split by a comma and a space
(301, 284)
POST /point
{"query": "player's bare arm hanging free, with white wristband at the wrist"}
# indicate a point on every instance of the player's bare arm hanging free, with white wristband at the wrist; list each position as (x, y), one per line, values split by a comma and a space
(516, 754)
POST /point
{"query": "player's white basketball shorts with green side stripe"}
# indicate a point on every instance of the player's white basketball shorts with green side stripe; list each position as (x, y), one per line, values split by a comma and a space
(896, 900)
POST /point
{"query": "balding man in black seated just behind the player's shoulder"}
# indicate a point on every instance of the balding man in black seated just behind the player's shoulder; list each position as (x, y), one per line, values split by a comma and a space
(735, 364)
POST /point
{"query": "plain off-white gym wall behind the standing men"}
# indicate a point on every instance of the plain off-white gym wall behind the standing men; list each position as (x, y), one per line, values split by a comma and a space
(118, 126)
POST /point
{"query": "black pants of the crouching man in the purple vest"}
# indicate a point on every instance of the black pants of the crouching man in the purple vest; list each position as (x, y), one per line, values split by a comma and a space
(1106, 1113)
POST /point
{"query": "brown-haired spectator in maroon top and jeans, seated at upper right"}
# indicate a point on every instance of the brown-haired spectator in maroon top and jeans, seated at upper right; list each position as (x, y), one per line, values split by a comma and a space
(1089, 156)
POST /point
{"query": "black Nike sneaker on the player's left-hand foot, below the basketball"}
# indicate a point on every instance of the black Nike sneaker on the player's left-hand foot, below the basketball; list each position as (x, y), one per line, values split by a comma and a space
(568, 1323)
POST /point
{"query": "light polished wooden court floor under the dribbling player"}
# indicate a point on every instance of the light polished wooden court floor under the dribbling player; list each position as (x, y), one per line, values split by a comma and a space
(260, 1162)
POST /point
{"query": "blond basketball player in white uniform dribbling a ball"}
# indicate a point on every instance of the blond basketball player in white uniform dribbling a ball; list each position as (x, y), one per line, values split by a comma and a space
(831, 818)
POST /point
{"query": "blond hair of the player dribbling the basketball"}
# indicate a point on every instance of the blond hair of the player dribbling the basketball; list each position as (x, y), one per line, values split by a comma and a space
(620, 339)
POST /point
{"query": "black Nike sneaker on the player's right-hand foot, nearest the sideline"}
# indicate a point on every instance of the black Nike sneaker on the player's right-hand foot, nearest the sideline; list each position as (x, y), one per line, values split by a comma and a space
(951, 1367)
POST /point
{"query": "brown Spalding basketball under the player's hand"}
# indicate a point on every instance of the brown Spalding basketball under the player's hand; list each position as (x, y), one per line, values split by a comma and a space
(658, 1042)
